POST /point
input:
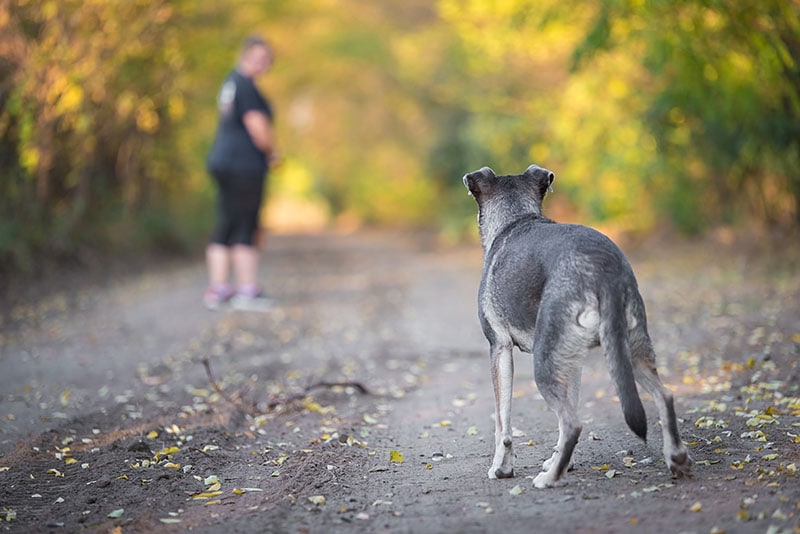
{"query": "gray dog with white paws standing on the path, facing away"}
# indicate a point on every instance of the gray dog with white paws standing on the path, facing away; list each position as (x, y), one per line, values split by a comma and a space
(556, 290)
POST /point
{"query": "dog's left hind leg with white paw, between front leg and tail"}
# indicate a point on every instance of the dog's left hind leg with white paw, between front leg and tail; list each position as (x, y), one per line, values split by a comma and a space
(557, 373)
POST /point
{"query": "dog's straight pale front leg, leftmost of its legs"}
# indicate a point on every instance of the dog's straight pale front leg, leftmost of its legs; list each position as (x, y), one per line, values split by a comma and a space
(502, 363)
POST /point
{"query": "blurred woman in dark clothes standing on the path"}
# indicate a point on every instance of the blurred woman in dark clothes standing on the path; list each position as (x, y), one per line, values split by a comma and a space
(239, 161)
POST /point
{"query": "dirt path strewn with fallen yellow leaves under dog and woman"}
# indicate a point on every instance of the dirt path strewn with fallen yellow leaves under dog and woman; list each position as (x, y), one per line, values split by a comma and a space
(108, 419)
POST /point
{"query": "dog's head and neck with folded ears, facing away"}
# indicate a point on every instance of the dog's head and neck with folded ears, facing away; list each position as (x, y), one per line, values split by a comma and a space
(504, 199)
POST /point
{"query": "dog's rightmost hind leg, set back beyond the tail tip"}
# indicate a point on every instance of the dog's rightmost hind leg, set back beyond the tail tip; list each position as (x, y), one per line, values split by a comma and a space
(644, 367)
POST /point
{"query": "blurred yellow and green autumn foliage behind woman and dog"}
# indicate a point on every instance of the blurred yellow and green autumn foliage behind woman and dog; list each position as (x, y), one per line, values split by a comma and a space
(677, 116)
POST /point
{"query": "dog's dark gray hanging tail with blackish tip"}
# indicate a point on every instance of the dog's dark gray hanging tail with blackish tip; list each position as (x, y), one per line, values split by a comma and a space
(614, 340)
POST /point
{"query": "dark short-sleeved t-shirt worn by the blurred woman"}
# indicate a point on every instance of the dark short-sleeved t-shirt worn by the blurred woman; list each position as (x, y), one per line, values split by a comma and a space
(233, 150)
